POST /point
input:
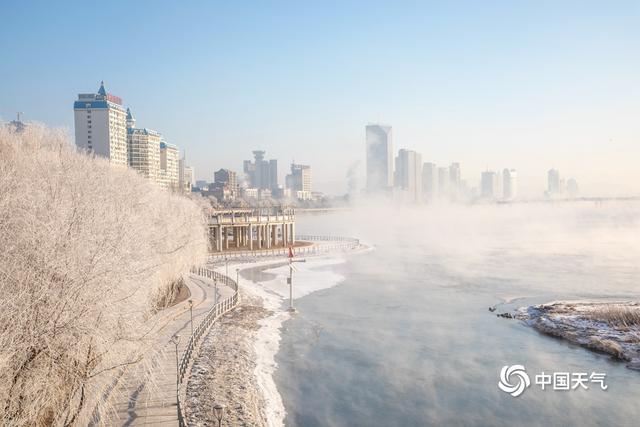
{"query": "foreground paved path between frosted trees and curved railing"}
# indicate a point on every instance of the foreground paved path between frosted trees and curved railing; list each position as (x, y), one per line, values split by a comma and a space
(143, 402)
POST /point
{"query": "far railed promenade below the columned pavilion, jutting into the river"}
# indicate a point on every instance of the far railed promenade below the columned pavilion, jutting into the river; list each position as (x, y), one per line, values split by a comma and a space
(327, 244)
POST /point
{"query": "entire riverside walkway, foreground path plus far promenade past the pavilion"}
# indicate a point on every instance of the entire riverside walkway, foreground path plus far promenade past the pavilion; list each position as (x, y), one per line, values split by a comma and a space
(147, 393)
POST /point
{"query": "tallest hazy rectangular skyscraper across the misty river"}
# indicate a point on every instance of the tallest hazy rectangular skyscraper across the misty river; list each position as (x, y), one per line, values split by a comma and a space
(379, 158)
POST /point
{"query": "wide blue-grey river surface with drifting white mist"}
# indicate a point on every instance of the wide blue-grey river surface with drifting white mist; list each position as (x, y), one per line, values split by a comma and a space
(407, 339)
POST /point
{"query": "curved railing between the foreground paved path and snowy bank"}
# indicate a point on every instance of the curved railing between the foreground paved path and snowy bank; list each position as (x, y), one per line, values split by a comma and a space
(214, 314)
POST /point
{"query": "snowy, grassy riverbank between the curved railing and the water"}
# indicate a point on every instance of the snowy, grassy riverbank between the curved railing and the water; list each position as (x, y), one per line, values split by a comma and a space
(236, 361)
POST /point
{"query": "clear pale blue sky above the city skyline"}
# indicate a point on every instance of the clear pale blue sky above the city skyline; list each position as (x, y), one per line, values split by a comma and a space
(529, 85)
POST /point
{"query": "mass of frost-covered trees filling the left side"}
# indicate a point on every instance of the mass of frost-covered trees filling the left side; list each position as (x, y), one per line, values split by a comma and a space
(88, 251)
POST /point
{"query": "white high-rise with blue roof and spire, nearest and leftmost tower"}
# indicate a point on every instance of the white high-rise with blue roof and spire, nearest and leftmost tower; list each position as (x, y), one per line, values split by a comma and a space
(100, 125)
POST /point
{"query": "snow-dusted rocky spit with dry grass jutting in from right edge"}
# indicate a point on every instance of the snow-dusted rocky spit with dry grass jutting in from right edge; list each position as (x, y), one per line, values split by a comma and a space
(608, 327)
